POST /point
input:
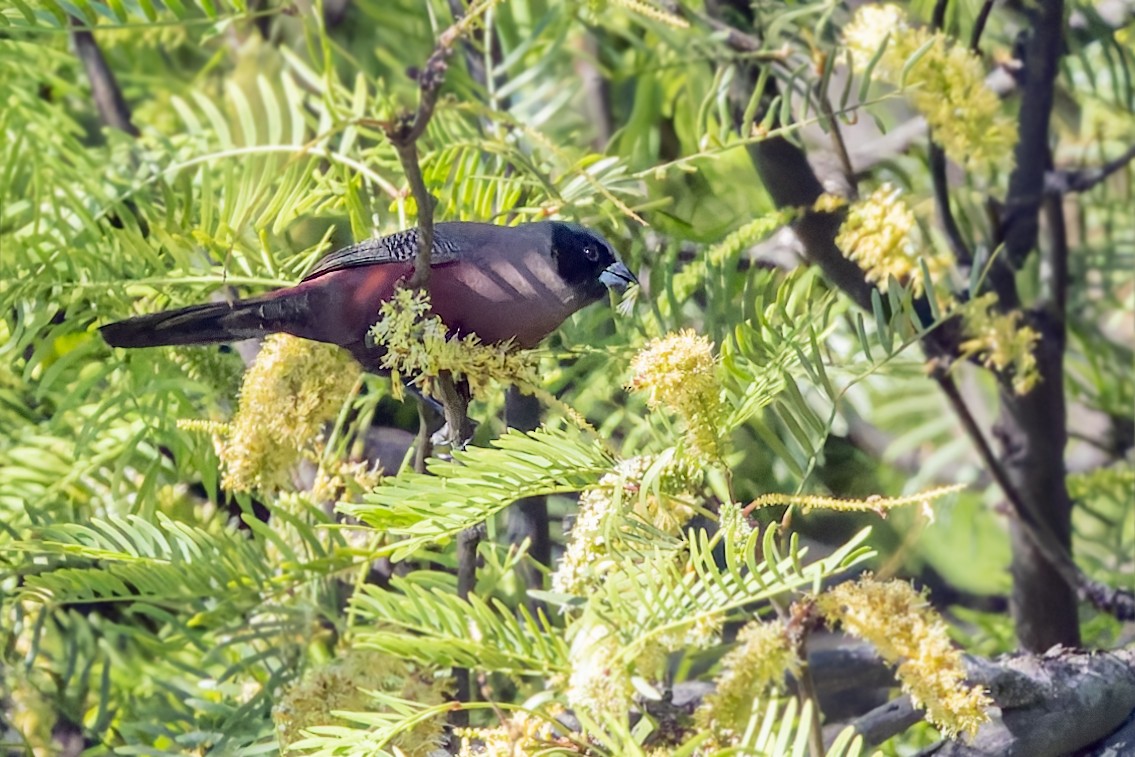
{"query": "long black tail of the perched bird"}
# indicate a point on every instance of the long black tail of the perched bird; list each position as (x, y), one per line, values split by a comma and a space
(208, 324)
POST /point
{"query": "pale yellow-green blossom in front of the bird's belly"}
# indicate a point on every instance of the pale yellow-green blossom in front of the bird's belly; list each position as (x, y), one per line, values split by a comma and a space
(418, 348)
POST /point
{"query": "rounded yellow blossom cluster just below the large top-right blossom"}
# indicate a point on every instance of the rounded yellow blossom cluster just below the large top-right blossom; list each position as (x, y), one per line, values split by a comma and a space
(881, 235)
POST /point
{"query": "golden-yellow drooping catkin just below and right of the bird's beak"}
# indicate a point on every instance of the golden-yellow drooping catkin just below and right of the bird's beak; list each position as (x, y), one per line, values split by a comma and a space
(679, 373)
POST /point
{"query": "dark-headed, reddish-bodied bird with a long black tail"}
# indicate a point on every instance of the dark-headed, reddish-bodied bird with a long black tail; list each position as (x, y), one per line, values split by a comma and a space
(506, 284)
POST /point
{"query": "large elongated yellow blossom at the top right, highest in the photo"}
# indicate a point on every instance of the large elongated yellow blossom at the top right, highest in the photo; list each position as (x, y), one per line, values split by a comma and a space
(946, 85)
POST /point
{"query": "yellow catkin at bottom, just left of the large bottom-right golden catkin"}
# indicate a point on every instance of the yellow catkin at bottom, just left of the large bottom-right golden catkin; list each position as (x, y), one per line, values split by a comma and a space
(751, 671)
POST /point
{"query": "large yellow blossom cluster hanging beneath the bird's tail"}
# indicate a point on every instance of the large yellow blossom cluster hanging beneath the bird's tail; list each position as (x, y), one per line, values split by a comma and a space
(295, 388)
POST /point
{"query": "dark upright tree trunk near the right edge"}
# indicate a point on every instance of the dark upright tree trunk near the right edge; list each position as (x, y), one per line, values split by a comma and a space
(1032, 430)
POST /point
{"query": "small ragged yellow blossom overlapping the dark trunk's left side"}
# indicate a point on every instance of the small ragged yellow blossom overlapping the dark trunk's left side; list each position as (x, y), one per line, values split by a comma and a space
(1001, 342)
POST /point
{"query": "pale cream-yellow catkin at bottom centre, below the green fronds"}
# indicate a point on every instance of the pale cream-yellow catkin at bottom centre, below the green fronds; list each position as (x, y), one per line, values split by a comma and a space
(600, 684)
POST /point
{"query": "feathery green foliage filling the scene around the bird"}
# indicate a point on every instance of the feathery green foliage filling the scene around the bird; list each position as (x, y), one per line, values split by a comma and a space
(148, 611)
